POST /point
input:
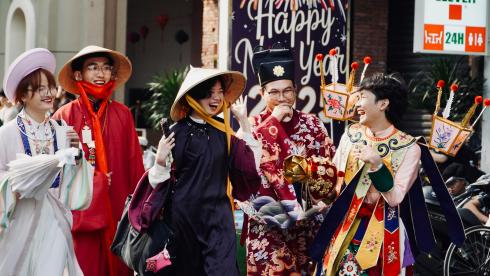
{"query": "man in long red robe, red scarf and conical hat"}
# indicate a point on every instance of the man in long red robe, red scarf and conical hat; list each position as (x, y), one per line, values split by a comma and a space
(110, 144)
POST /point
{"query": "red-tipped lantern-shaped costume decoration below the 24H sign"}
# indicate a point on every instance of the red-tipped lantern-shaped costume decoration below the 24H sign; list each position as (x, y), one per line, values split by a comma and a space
(448, 136)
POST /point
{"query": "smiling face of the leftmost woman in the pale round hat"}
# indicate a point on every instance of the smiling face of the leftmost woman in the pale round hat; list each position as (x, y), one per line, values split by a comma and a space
(41, 99)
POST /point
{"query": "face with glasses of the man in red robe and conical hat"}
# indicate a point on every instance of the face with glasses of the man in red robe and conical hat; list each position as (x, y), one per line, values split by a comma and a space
(95, 70)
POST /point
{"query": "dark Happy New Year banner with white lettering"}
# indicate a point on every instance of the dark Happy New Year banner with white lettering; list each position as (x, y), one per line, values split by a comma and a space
(306, 26)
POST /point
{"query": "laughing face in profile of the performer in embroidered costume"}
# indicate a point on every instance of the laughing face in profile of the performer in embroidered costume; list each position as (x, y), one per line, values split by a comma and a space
(370, 110)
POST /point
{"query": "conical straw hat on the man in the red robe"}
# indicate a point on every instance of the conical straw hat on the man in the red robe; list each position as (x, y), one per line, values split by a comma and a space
(122, 68)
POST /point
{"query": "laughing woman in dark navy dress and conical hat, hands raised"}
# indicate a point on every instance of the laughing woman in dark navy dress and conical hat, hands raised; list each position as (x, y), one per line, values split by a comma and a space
(206, 153)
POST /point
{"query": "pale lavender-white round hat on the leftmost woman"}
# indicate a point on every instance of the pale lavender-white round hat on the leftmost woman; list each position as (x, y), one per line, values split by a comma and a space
(23, 65)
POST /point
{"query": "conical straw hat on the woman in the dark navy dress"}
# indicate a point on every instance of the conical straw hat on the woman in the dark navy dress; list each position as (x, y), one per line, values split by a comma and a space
(234, 82)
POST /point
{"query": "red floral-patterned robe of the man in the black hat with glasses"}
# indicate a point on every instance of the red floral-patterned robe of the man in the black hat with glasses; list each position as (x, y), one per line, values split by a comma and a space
(279, 229)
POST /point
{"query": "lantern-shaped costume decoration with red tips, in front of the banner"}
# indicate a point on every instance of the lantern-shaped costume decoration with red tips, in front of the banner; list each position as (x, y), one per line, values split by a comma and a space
(340, 99)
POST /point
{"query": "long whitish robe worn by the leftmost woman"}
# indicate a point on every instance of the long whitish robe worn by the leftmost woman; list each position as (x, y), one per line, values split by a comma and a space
(35, 219)
